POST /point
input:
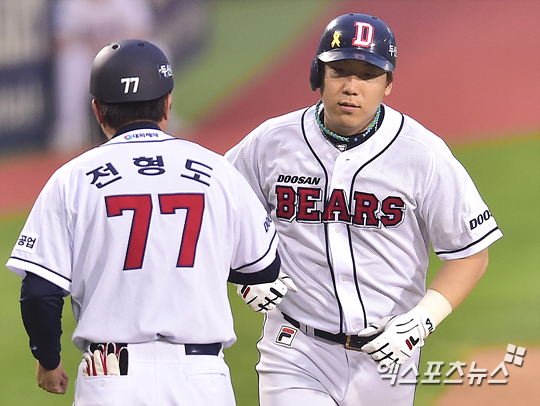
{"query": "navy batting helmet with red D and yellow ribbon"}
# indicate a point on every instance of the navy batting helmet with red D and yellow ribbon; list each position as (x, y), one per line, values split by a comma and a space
(354, 36)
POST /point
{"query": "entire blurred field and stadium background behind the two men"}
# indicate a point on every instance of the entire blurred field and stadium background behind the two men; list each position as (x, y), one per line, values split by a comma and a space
(467, 70)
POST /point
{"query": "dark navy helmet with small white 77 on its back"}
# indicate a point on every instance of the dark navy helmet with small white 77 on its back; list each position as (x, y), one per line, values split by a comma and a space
(130, 70)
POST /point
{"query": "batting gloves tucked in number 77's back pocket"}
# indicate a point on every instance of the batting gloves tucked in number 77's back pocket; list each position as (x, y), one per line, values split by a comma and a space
(106, 361)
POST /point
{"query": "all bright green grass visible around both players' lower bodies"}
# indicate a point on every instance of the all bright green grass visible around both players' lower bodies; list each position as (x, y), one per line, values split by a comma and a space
(502, 309)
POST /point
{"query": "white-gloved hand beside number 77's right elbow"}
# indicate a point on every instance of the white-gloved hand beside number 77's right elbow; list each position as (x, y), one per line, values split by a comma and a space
(266, 296)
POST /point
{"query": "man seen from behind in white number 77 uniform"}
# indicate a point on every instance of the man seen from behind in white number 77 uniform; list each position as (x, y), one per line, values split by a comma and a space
(143, 232)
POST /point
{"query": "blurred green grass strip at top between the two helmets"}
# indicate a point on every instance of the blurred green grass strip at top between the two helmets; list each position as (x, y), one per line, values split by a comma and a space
(247, 37)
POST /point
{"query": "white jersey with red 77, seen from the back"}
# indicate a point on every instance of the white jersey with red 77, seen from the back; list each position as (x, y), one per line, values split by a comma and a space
(143, 232)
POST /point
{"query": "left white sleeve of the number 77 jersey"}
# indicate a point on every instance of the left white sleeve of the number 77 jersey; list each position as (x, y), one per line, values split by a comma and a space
(44, 244)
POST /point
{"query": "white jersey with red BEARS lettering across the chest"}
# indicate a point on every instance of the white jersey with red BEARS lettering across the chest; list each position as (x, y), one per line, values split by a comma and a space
(355, 227)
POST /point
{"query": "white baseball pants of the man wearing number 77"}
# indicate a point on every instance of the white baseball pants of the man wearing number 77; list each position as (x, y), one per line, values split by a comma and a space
(160, 373)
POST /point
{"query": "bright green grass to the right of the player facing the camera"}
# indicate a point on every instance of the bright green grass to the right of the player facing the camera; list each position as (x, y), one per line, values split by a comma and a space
(505, 306)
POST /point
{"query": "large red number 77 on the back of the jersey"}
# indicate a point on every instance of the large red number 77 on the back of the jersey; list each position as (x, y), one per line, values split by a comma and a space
(141, 205)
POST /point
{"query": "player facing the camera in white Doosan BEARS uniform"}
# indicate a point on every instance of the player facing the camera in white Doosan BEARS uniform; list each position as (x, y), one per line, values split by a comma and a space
(359, 192)
